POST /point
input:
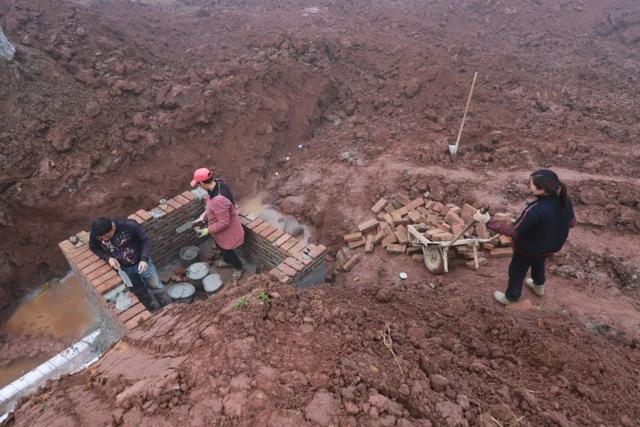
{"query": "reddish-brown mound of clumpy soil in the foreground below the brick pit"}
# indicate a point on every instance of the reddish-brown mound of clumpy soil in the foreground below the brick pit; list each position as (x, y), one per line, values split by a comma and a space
(318, 357)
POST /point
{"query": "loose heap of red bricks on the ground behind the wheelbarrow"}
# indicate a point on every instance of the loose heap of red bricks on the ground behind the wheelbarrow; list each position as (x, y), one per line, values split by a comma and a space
(437, 221)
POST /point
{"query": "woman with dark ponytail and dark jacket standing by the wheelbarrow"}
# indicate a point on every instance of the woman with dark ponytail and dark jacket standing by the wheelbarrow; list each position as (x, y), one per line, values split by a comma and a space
(541, 230)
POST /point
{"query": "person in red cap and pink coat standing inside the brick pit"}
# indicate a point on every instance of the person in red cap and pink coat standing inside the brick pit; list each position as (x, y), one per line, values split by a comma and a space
(222, 219)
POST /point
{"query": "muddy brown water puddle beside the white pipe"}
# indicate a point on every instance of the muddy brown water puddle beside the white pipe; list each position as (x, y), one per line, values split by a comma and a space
(57, 311)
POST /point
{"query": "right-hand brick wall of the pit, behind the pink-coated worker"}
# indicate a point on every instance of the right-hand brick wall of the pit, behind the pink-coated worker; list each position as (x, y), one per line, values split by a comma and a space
(287, 258)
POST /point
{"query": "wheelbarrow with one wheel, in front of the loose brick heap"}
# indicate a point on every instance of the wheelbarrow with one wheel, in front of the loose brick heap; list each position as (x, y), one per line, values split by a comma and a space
(436, 253)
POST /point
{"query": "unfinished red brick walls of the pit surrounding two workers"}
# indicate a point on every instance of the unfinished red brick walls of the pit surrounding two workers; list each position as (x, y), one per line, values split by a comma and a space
(271, 249)
